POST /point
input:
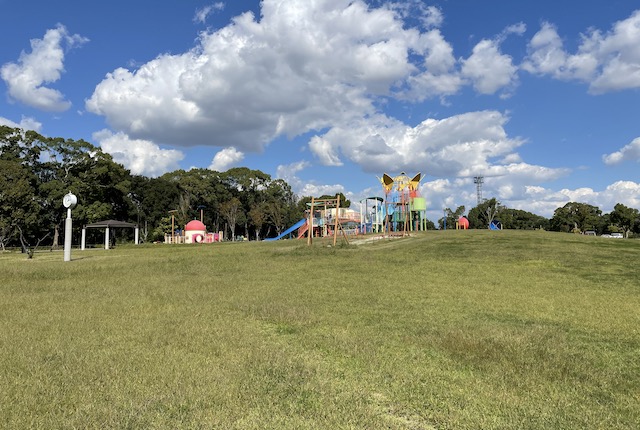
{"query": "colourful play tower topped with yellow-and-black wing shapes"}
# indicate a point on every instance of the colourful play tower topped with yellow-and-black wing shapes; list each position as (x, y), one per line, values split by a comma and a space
(404, 209)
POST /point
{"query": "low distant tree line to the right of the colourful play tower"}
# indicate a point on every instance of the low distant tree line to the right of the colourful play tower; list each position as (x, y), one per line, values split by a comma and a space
(573, 217)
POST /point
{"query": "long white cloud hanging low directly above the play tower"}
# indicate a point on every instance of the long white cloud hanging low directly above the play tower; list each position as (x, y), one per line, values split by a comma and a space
(462, 145)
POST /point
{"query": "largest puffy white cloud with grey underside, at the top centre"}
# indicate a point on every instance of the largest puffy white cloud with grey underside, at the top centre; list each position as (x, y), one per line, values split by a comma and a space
(300, 67)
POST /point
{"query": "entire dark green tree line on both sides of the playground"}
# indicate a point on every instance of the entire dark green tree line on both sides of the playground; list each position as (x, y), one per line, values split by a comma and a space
(37, 171)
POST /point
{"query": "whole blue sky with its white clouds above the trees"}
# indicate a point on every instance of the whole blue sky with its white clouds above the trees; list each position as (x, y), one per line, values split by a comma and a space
(541, 98)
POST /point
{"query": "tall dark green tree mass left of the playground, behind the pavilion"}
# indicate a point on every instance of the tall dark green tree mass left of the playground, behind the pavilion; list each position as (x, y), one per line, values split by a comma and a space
(36, 172)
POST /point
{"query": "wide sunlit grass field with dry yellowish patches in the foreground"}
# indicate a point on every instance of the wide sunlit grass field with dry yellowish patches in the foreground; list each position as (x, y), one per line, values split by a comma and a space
(444, 330)
